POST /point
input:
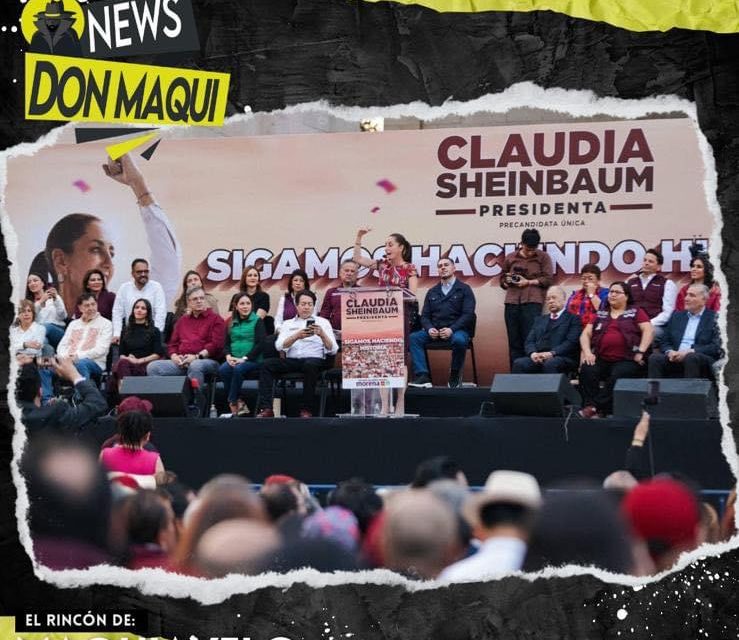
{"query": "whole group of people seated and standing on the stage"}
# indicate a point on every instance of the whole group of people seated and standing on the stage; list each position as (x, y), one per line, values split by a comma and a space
(632, 328)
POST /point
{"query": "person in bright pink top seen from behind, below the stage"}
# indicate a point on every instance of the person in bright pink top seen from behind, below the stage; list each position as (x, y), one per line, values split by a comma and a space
(128, 456)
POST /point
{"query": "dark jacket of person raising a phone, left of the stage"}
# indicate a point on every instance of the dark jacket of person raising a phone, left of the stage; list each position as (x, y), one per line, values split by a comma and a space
(61, 415)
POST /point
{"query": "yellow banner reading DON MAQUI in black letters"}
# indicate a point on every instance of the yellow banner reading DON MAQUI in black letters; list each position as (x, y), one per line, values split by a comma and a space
(86, 90)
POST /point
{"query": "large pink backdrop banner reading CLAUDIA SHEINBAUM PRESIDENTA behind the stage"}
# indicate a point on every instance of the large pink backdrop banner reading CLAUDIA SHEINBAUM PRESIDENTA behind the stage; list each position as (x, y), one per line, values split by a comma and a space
(598, 192)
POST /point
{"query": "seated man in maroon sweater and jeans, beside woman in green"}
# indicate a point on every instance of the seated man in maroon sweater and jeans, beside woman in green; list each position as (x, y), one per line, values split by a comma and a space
(196, 343)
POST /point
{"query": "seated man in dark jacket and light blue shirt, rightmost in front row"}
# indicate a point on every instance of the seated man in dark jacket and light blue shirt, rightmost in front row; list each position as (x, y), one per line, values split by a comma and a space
(691, 342)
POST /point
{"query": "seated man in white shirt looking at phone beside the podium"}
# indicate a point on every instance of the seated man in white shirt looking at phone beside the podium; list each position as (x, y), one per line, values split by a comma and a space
(306, 341)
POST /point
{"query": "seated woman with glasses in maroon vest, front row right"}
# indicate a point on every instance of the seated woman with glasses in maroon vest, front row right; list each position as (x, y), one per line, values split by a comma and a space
(613, 346)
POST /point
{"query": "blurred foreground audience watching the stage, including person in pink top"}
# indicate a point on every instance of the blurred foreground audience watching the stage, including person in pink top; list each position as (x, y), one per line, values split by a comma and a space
(124, 506)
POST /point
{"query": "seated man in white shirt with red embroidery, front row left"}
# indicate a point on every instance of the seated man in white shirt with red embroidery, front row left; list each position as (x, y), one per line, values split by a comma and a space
(87, 340)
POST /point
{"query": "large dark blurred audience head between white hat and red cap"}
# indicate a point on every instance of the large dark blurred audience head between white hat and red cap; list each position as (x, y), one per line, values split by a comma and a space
(580, 528)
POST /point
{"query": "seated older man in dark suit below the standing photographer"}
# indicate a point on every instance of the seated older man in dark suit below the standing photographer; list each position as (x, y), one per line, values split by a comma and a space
(553, 343)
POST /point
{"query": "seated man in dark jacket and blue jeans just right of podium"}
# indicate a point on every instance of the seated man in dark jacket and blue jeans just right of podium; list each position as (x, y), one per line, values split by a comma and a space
(448, 314)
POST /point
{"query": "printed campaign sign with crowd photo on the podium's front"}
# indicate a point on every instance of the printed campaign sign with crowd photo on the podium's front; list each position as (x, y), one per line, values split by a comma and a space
(372, 345)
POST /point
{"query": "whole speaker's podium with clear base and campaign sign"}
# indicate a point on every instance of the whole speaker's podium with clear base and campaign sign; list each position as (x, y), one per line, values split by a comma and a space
(373, 347)
